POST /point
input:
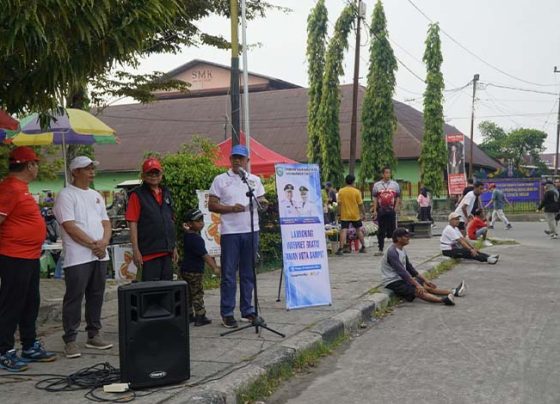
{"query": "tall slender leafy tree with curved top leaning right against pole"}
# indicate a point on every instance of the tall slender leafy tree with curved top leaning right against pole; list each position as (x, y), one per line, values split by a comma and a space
(329, 110)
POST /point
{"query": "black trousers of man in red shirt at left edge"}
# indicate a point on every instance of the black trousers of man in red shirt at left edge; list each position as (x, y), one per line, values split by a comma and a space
(19, 301)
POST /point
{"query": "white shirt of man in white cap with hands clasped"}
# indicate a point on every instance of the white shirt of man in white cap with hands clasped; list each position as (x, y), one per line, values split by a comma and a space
(86, 207)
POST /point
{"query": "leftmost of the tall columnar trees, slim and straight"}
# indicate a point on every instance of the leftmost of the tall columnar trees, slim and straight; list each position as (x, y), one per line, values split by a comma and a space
(316, 43)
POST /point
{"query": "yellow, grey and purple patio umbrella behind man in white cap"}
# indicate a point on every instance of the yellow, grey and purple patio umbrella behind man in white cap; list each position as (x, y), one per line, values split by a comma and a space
(74, 126)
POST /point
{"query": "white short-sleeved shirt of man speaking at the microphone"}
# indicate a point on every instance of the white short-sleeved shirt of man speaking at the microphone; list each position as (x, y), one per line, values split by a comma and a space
(230, 190)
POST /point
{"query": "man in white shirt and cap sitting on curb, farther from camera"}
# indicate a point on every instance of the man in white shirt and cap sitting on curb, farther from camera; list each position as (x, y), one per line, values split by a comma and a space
(454, 245)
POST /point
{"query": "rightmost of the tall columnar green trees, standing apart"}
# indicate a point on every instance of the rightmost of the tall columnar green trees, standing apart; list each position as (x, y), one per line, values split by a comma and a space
(433, 157)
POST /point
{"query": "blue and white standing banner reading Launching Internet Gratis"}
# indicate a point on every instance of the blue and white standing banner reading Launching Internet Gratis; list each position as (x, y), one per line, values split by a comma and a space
(304, 247)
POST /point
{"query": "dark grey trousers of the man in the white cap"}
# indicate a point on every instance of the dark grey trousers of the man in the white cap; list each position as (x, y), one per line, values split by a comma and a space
(83, 280)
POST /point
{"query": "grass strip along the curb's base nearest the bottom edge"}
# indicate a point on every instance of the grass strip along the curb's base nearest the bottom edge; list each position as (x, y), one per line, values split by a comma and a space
(267, 384)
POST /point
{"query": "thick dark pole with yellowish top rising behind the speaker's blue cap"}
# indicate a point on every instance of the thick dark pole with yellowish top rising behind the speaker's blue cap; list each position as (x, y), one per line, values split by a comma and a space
(234, 80)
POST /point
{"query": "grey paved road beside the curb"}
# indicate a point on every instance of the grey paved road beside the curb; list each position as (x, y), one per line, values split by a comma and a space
(498, 345)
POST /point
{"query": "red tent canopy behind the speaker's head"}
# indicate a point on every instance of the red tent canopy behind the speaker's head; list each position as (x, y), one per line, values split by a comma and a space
(262, 158)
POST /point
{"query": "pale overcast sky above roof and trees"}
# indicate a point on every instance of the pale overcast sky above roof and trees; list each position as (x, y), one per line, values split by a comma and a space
(519, 37)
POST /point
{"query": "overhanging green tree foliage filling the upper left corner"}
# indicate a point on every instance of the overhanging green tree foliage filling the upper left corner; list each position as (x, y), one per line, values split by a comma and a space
(47, 47)
